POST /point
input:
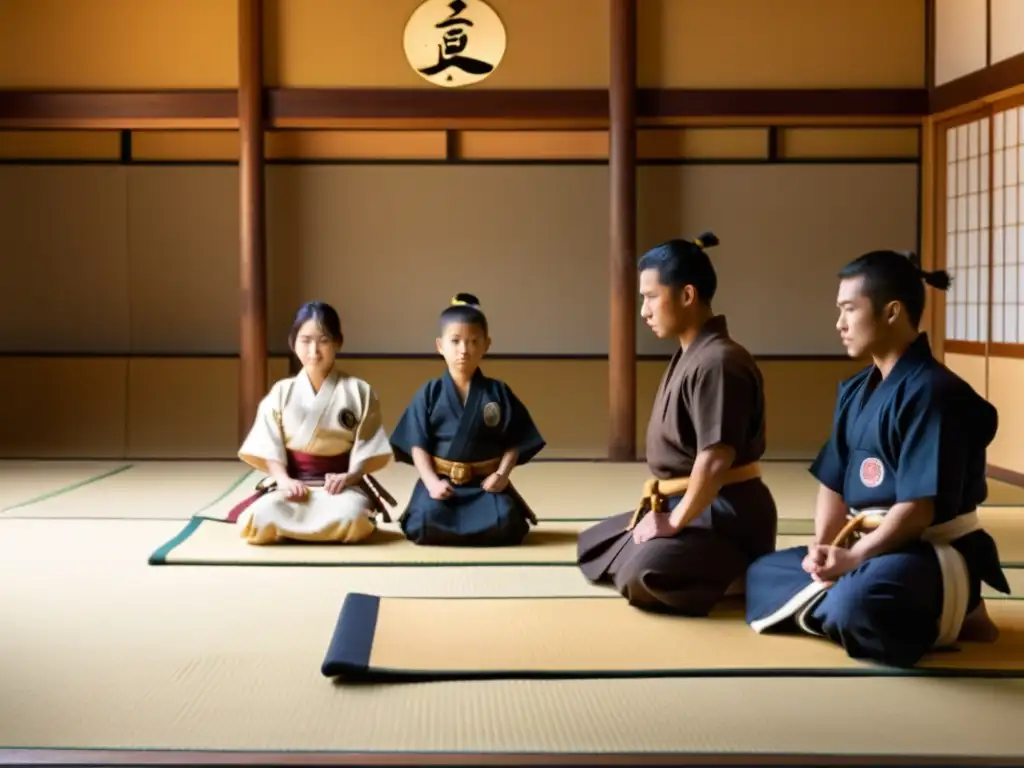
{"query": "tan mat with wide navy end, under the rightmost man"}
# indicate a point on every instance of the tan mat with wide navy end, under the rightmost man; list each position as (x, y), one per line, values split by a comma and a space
(411, 639)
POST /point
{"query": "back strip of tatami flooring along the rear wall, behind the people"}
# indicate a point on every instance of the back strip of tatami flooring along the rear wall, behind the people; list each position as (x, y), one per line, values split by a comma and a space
(580, 490)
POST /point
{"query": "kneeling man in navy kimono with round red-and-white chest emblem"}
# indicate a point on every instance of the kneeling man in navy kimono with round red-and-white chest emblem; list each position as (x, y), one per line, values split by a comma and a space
(901, 478)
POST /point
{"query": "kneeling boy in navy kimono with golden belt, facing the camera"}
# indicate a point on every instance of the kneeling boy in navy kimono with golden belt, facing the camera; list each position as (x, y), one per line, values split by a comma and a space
(465, 433)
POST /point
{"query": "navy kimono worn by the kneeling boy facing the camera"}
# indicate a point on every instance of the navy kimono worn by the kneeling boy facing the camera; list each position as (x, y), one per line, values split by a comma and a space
(492, 422)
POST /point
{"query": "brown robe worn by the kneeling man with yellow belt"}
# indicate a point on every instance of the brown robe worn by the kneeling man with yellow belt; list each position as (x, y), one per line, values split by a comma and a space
(711, 394)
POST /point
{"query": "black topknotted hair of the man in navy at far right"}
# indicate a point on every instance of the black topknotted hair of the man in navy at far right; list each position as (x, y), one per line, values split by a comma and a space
(895, 276)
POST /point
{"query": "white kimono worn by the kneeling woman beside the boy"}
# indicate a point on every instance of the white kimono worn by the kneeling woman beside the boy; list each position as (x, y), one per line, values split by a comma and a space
(344, 417)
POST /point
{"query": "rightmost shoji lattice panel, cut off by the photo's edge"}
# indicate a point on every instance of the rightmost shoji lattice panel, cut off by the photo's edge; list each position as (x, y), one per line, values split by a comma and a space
(1008, 227)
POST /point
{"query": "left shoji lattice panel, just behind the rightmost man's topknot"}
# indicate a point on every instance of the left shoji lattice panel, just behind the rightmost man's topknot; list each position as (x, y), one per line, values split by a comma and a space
(967, 232)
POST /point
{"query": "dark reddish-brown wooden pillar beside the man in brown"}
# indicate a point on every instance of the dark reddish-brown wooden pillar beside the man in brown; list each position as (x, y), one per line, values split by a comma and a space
(623, 272)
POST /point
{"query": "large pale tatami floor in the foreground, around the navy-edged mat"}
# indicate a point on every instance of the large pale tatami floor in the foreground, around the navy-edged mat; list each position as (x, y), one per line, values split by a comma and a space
(108, 653)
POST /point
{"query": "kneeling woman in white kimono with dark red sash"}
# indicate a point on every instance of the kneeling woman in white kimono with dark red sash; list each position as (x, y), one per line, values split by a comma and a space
(318, 436)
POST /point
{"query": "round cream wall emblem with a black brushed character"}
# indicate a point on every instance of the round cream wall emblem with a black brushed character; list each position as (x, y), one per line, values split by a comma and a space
(452, 44)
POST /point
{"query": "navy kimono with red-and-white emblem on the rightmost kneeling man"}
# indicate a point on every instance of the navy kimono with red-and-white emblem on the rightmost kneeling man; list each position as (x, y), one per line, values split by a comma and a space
(920, 434)
